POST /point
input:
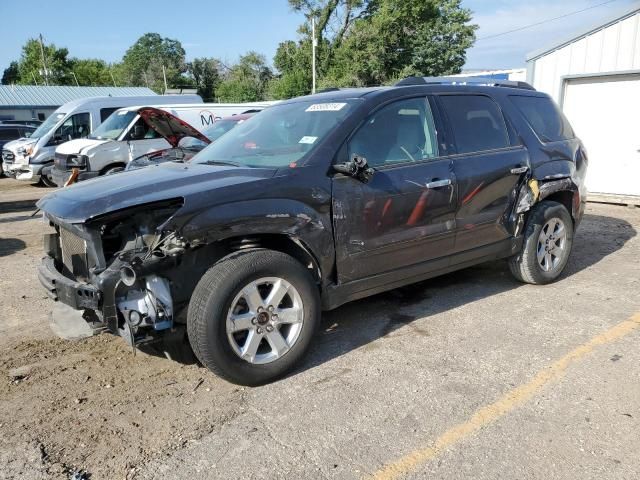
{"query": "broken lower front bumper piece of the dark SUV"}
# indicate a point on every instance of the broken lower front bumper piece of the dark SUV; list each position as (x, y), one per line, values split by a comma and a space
(60, 288)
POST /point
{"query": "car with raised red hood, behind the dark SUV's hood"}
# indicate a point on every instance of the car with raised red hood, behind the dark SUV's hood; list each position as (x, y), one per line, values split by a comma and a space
(187, 143)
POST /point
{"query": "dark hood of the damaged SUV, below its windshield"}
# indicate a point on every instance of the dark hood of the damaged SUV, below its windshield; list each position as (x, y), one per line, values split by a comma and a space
(199, 185)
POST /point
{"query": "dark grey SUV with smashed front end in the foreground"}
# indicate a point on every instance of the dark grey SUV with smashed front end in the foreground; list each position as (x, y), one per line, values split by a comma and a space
(318, 201)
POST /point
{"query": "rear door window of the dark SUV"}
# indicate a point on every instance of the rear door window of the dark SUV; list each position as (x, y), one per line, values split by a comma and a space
(476, 121)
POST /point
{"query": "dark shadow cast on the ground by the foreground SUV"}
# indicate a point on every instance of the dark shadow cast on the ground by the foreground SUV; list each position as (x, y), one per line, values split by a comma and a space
(361, 322)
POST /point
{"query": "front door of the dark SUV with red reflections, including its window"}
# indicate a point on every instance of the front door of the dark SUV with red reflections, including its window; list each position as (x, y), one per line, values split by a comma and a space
(405, 215)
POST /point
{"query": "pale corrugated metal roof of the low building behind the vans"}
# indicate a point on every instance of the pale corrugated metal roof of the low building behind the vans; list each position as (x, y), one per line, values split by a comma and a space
(50, 96)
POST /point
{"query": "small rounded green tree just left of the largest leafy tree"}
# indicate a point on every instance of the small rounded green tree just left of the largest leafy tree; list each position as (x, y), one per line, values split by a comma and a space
(246, 81)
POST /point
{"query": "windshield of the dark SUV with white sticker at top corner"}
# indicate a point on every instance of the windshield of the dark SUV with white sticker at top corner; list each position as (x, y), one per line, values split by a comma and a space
(278, 136)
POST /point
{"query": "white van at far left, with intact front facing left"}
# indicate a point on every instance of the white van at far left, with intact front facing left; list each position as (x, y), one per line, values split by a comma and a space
(30, 159)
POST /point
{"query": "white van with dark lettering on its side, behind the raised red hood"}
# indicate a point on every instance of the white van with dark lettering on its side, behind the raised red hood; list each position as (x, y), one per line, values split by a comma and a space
(125, 136)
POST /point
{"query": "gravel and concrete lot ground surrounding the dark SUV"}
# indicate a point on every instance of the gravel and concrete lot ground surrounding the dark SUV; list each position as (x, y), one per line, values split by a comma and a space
(386, 377)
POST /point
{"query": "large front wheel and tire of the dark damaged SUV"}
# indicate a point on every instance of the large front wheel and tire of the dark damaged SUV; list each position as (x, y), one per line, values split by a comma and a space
(252, 316)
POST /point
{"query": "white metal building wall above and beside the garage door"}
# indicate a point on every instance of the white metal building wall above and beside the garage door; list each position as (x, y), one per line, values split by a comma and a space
(614, 48)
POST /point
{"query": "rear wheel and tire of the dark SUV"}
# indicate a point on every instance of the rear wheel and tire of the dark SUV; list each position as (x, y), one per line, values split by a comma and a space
(548, 238)
